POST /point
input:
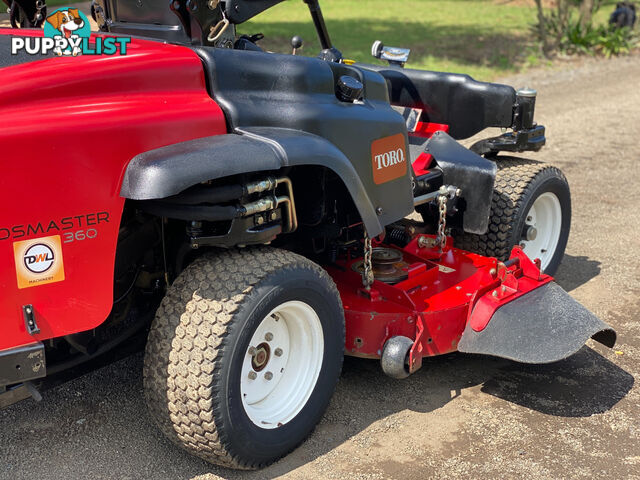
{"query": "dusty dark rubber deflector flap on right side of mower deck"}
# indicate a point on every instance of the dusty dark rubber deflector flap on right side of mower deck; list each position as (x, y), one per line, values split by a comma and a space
(543, 326)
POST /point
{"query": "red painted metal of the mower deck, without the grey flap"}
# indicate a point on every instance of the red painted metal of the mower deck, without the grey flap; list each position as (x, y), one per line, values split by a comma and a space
(433, 305)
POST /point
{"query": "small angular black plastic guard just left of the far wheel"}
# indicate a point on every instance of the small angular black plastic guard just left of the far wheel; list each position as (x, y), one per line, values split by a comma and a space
(473, 174)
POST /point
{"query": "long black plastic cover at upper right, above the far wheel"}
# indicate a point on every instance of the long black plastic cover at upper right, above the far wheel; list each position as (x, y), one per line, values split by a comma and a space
(466, 105)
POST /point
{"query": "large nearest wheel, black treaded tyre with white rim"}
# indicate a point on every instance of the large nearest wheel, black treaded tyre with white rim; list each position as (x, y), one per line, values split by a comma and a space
(244, 355)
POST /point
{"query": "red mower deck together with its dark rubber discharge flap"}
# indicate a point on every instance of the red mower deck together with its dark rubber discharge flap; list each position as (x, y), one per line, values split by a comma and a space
(448, 299)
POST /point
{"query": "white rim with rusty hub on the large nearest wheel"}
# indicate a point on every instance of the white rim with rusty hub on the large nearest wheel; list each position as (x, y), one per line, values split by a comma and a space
(275, 387)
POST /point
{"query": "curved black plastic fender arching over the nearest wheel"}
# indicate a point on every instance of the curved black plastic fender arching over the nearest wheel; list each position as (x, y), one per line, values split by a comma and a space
(169, 170)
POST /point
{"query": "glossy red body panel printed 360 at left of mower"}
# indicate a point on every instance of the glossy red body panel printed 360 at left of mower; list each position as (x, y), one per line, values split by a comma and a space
(70, 127)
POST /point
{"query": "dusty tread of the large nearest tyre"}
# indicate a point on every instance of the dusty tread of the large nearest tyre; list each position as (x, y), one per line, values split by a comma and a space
(187, 343)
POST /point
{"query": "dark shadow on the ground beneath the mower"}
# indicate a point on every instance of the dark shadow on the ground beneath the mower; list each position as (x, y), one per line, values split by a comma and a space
(98, 422)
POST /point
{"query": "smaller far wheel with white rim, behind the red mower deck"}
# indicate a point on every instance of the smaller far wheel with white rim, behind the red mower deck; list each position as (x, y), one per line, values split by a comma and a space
(522, 189)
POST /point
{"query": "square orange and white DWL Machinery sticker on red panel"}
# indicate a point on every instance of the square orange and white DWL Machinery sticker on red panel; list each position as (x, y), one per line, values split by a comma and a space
(38, 261)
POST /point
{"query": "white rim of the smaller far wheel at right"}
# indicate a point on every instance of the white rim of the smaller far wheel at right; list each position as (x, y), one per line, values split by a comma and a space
(545, 216)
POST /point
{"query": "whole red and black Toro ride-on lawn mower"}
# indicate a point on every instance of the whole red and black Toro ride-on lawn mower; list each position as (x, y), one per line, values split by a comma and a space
(255, 204)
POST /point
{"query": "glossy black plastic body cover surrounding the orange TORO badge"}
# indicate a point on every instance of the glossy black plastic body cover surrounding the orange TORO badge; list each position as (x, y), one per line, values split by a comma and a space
(258, 89)
